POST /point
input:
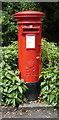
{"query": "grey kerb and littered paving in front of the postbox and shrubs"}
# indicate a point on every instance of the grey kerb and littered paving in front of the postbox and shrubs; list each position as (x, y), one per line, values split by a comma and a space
(29, 110)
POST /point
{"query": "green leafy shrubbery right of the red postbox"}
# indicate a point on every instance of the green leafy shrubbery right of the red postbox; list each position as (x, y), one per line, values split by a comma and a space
(50, 73)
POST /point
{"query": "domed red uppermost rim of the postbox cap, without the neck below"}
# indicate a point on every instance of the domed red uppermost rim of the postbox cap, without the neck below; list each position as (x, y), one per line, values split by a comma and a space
(29, 13)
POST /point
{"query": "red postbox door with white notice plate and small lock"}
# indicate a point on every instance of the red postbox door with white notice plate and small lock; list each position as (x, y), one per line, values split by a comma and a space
(33, 58)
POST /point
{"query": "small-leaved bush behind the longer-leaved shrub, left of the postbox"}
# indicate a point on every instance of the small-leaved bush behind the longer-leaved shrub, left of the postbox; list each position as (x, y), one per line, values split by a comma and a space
(10, 56)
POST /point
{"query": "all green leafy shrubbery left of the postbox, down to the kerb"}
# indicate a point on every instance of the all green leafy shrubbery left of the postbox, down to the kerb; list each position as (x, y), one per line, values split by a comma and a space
(11, 86)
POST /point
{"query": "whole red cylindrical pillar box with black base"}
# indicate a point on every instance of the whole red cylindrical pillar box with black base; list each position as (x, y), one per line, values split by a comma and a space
(29, 49)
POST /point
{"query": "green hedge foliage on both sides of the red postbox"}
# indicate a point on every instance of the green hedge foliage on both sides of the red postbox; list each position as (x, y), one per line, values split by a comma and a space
(13, 88)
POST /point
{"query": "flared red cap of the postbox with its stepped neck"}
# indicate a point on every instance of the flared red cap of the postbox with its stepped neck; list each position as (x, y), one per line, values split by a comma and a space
(28, 17)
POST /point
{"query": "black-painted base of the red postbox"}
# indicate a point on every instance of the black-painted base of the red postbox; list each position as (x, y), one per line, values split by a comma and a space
(33, 90)
